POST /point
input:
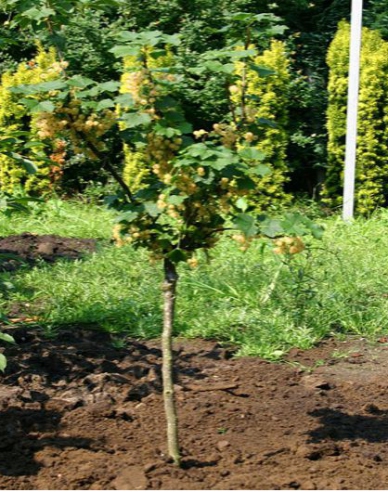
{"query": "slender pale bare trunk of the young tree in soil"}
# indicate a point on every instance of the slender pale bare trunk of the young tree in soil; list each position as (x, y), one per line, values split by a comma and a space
(169, 293)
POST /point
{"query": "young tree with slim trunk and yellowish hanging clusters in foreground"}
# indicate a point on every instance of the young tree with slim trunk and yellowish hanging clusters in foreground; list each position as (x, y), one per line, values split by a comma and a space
(199, 183)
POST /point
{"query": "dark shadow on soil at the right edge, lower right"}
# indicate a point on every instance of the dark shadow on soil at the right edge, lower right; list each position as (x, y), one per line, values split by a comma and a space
(338, 426)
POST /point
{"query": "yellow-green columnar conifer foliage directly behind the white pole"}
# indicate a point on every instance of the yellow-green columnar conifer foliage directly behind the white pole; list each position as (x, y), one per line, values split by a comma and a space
(372, 149)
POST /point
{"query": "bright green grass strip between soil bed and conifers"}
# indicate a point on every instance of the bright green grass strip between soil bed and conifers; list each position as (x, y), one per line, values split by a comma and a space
(250, 299)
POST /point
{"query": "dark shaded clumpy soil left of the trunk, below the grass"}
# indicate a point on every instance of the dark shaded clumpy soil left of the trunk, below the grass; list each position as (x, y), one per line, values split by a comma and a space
(73, 356)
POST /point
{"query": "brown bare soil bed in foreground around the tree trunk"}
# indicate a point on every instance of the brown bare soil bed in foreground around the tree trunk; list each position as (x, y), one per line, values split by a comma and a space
(77, 413)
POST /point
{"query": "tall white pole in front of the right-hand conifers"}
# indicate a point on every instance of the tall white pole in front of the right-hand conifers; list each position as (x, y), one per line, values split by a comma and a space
(351, 125)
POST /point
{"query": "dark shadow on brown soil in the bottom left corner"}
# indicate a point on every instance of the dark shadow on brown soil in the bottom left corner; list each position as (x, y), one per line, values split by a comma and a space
(19, 439)
